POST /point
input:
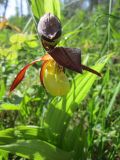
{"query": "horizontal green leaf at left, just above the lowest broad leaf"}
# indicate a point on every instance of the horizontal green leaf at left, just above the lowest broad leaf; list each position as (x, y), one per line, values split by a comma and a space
(11, 135)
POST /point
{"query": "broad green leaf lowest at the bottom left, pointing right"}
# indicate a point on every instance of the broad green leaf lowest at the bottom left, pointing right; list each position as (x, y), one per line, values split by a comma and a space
(36, 149)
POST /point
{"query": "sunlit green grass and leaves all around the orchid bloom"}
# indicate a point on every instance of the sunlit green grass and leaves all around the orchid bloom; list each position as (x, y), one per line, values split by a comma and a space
(85, 124)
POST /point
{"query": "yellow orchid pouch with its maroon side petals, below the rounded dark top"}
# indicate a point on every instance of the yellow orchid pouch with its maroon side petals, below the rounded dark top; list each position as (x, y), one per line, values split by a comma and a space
(52, 74)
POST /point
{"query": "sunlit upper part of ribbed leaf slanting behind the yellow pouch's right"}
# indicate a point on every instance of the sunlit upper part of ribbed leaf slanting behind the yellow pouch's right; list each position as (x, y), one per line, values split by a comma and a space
(82, 83)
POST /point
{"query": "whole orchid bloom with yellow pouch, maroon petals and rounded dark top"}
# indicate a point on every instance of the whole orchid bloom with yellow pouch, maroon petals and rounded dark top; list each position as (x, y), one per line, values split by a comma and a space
(52, 75)
